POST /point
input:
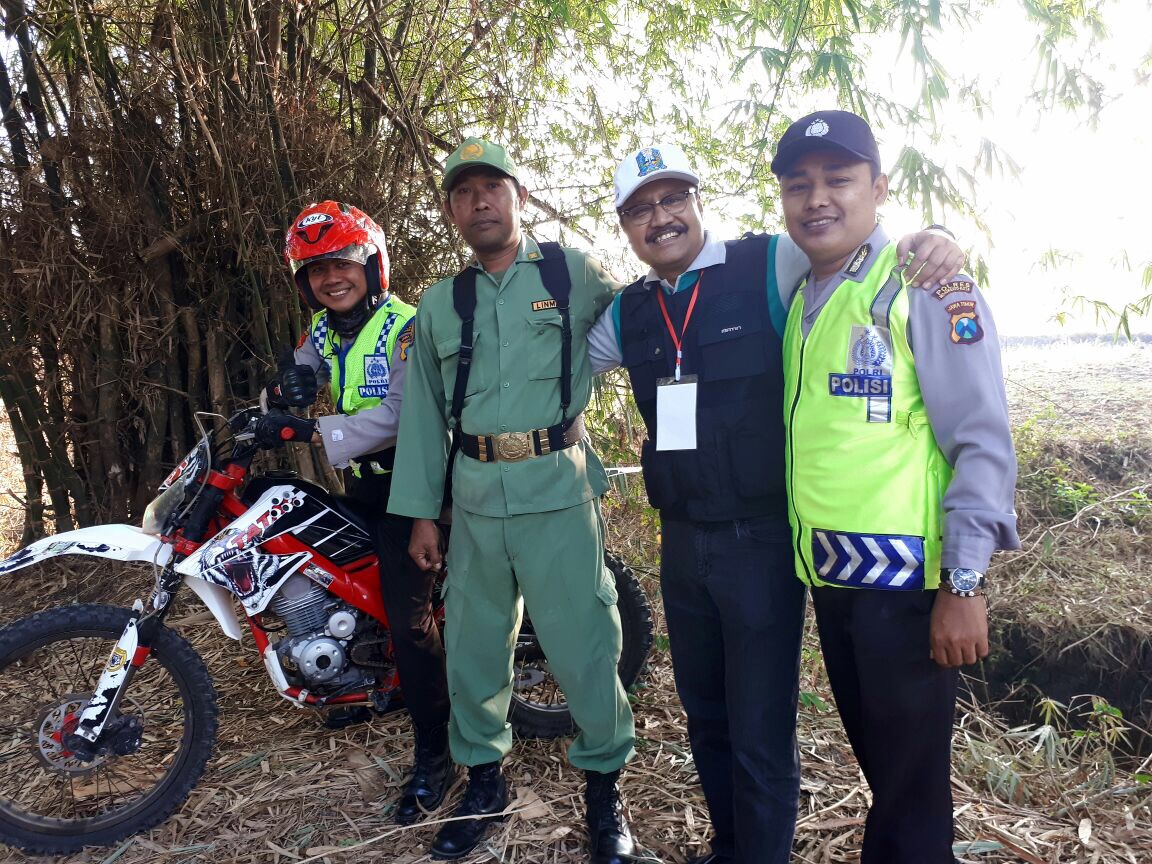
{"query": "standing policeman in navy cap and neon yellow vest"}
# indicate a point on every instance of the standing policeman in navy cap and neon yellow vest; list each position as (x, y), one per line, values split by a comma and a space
(901, 474)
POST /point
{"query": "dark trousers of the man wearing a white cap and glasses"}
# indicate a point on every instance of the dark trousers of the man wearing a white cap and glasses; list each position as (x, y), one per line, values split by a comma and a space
(736, 612)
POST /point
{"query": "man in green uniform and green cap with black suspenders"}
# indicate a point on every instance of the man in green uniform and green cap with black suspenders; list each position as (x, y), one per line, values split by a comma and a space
(526, 489)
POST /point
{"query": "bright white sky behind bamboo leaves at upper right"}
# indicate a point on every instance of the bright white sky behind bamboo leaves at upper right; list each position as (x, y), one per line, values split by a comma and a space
(1082, 192)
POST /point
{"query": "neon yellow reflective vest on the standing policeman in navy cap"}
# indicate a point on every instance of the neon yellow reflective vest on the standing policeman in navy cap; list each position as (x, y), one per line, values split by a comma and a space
(866, 476)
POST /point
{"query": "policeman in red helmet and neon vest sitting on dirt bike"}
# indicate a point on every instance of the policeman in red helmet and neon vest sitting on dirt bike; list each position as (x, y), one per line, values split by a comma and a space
(360, 338)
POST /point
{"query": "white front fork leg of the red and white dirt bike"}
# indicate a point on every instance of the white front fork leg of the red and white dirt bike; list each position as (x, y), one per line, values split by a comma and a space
(130, 654)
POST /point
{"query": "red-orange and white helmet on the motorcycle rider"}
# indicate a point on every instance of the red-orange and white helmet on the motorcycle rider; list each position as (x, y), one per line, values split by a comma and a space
(331, 230)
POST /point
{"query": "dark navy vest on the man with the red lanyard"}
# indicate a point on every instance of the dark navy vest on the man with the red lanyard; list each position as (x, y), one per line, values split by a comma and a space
(738, 468)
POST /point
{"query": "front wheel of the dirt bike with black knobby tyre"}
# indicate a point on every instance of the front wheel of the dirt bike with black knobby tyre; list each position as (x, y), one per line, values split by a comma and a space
(52, 801)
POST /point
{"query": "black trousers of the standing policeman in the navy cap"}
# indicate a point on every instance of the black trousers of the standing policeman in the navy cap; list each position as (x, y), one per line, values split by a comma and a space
(898, 708)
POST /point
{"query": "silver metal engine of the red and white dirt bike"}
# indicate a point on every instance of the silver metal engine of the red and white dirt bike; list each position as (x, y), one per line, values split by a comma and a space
(321, 628)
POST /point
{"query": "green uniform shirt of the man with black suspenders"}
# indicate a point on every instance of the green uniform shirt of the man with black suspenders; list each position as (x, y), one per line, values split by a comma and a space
(514, 386)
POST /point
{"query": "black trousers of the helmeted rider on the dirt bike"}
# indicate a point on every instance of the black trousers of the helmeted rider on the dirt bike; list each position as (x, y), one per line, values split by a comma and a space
(408, 601)
